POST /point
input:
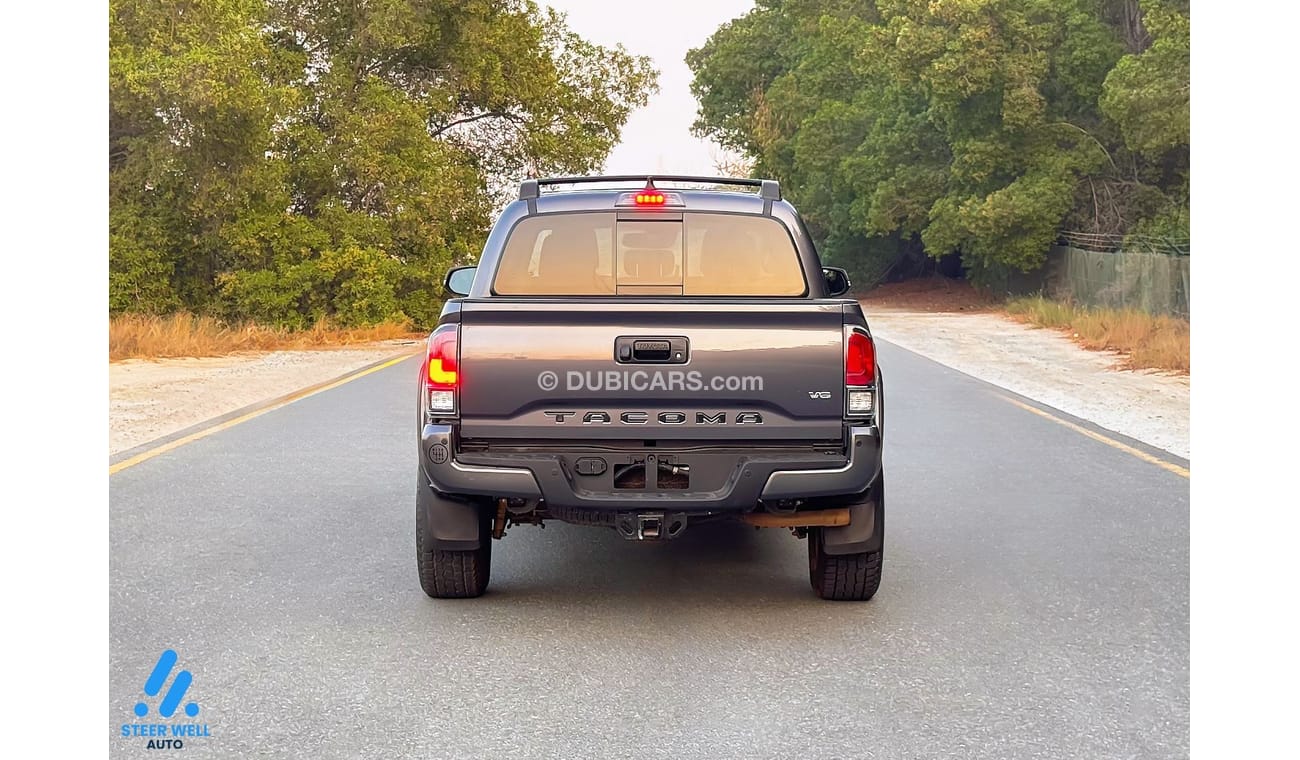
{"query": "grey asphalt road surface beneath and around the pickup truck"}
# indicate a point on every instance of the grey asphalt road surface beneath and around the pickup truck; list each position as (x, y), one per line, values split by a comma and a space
(1034, 605)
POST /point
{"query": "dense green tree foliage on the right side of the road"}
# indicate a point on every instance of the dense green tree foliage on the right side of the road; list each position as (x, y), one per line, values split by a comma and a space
(970, 127)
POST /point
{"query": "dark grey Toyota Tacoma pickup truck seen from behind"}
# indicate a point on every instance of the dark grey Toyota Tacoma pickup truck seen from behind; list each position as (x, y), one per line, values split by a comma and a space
(649, 354)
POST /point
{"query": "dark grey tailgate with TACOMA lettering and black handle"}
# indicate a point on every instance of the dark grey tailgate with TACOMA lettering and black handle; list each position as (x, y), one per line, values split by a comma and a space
(751, 371)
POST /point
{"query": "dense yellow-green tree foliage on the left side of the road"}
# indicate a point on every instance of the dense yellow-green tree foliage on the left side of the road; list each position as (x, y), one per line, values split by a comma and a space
(296, 160)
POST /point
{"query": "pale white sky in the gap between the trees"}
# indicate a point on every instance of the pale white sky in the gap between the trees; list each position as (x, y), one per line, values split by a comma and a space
(657, 138)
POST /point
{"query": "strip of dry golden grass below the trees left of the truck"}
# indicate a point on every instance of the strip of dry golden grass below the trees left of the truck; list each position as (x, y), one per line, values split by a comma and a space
(144, 337)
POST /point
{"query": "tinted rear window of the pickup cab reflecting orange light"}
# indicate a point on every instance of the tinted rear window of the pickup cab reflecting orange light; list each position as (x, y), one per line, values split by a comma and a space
(701, 255)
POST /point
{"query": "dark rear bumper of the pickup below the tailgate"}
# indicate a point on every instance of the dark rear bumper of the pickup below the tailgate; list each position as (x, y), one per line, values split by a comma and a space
(751, 479)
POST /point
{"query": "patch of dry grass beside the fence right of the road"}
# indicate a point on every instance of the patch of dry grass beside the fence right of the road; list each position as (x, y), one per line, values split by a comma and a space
(1147, 342)
